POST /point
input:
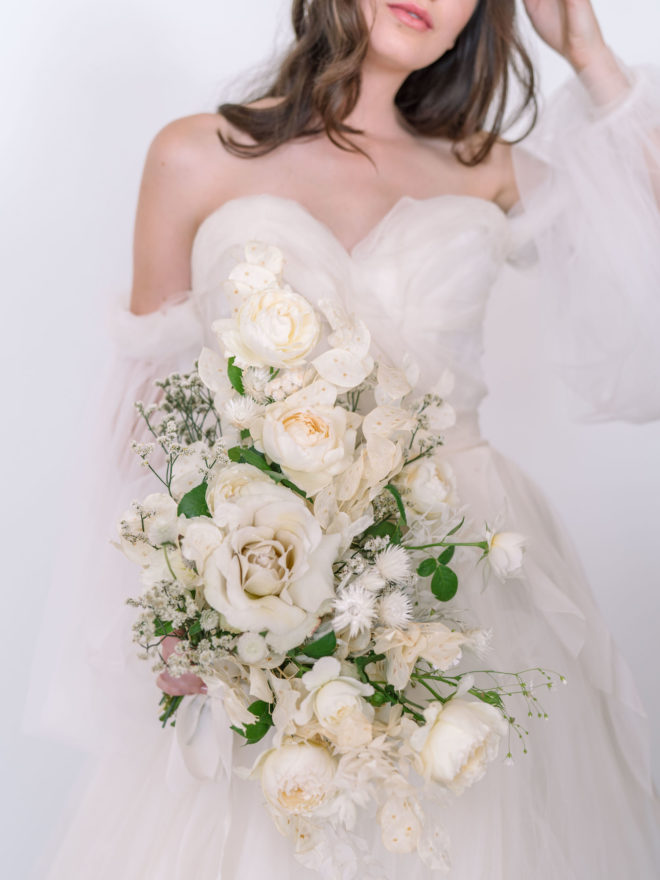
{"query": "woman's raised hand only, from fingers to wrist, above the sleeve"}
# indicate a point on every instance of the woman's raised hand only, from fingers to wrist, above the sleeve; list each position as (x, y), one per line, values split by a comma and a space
(570, 27)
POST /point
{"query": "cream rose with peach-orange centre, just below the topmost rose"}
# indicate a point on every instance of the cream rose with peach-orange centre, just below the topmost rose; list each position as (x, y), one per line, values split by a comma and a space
(308, 436)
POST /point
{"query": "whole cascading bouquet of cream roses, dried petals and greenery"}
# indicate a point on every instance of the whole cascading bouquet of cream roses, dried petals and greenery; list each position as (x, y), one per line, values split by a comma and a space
(296, 565)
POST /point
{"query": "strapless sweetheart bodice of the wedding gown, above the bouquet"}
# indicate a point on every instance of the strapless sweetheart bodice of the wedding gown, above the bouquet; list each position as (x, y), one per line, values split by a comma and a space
(419, 279)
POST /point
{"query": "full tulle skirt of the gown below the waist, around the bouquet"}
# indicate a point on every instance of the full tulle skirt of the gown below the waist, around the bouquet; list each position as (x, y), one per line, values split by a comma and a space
(579, 805)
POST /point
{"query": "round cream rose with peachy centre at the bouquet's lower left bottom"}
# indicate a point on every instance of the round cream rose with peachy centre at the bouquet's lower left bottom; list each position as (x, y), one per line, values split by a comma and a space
(297, 777)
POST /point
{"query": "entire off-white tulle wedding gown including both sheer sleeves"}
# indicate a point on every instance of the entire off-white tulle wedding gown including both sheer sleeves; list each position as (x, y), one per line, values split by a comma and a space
(581, 804)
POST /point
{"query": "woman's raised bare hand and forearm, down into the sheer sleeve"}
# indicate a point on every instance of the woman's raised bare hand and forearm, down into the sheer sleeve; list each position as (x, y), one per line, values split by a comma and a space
(571, 28)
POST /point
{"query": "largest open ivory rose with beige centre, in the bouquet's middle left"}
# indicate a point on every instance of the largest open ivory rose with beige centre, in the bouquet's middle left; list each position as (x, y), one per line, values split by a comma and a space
(265, 562)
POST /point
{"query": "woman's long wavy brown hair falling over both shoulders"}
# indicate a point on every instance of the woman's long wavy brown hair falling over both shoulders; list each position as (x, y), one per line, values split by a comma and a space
(319, 83)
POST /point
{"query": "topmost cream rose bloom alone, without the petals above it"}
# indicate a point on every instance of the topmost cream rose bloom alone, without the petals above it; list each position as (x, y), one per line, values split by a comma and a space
(274, 327)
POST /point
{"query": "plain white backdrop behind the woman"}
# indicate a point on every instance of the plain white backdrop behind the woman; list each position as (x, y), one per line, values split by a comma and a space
(84, 89)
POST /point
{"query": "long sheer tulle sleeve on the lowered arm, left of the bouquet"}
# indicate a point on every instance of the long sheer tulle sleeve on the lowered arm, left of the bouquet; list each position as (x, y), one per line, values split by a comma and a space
(88, 686)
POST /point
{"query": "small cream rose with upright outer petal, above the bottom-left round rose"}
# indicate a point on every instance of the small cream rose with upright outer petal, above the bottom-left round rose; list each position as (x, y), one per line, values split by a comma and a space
(338, 703)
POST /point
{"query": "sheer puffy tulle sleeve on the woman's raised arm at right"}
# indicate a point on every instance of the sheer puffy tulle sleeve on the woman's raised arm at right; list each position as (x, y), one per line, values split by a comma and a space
(588, 218)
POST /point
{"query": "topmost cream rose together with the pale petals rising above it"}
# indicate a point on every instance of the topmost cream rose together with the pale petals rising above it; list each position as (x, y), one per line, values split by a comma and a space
(272, 325)
